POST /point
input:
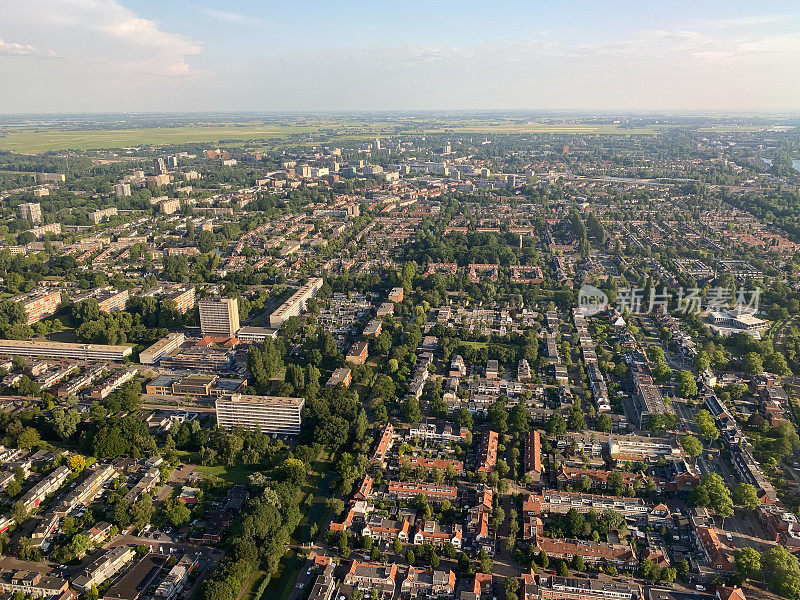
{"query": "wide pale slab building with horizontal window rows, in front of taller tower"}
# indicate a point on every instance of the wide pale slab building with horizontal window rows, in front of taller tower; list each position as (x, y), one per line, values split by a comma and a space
(269, 414)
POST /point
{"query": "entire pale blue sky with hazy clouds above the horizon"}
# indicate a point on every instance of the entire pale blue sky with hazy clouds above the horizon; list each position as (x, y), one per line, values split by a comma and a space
(324, 55)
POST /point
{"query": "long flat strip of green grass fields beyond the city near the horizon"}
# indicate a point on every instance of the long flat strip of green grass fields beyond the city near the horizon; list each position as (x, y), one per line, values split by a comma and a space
(34, 140)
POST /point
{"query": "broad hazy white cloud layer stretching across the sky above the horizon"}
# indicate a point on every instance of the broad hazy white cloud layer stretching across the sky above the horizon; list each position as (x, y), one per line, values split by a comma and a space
(111, 58)
